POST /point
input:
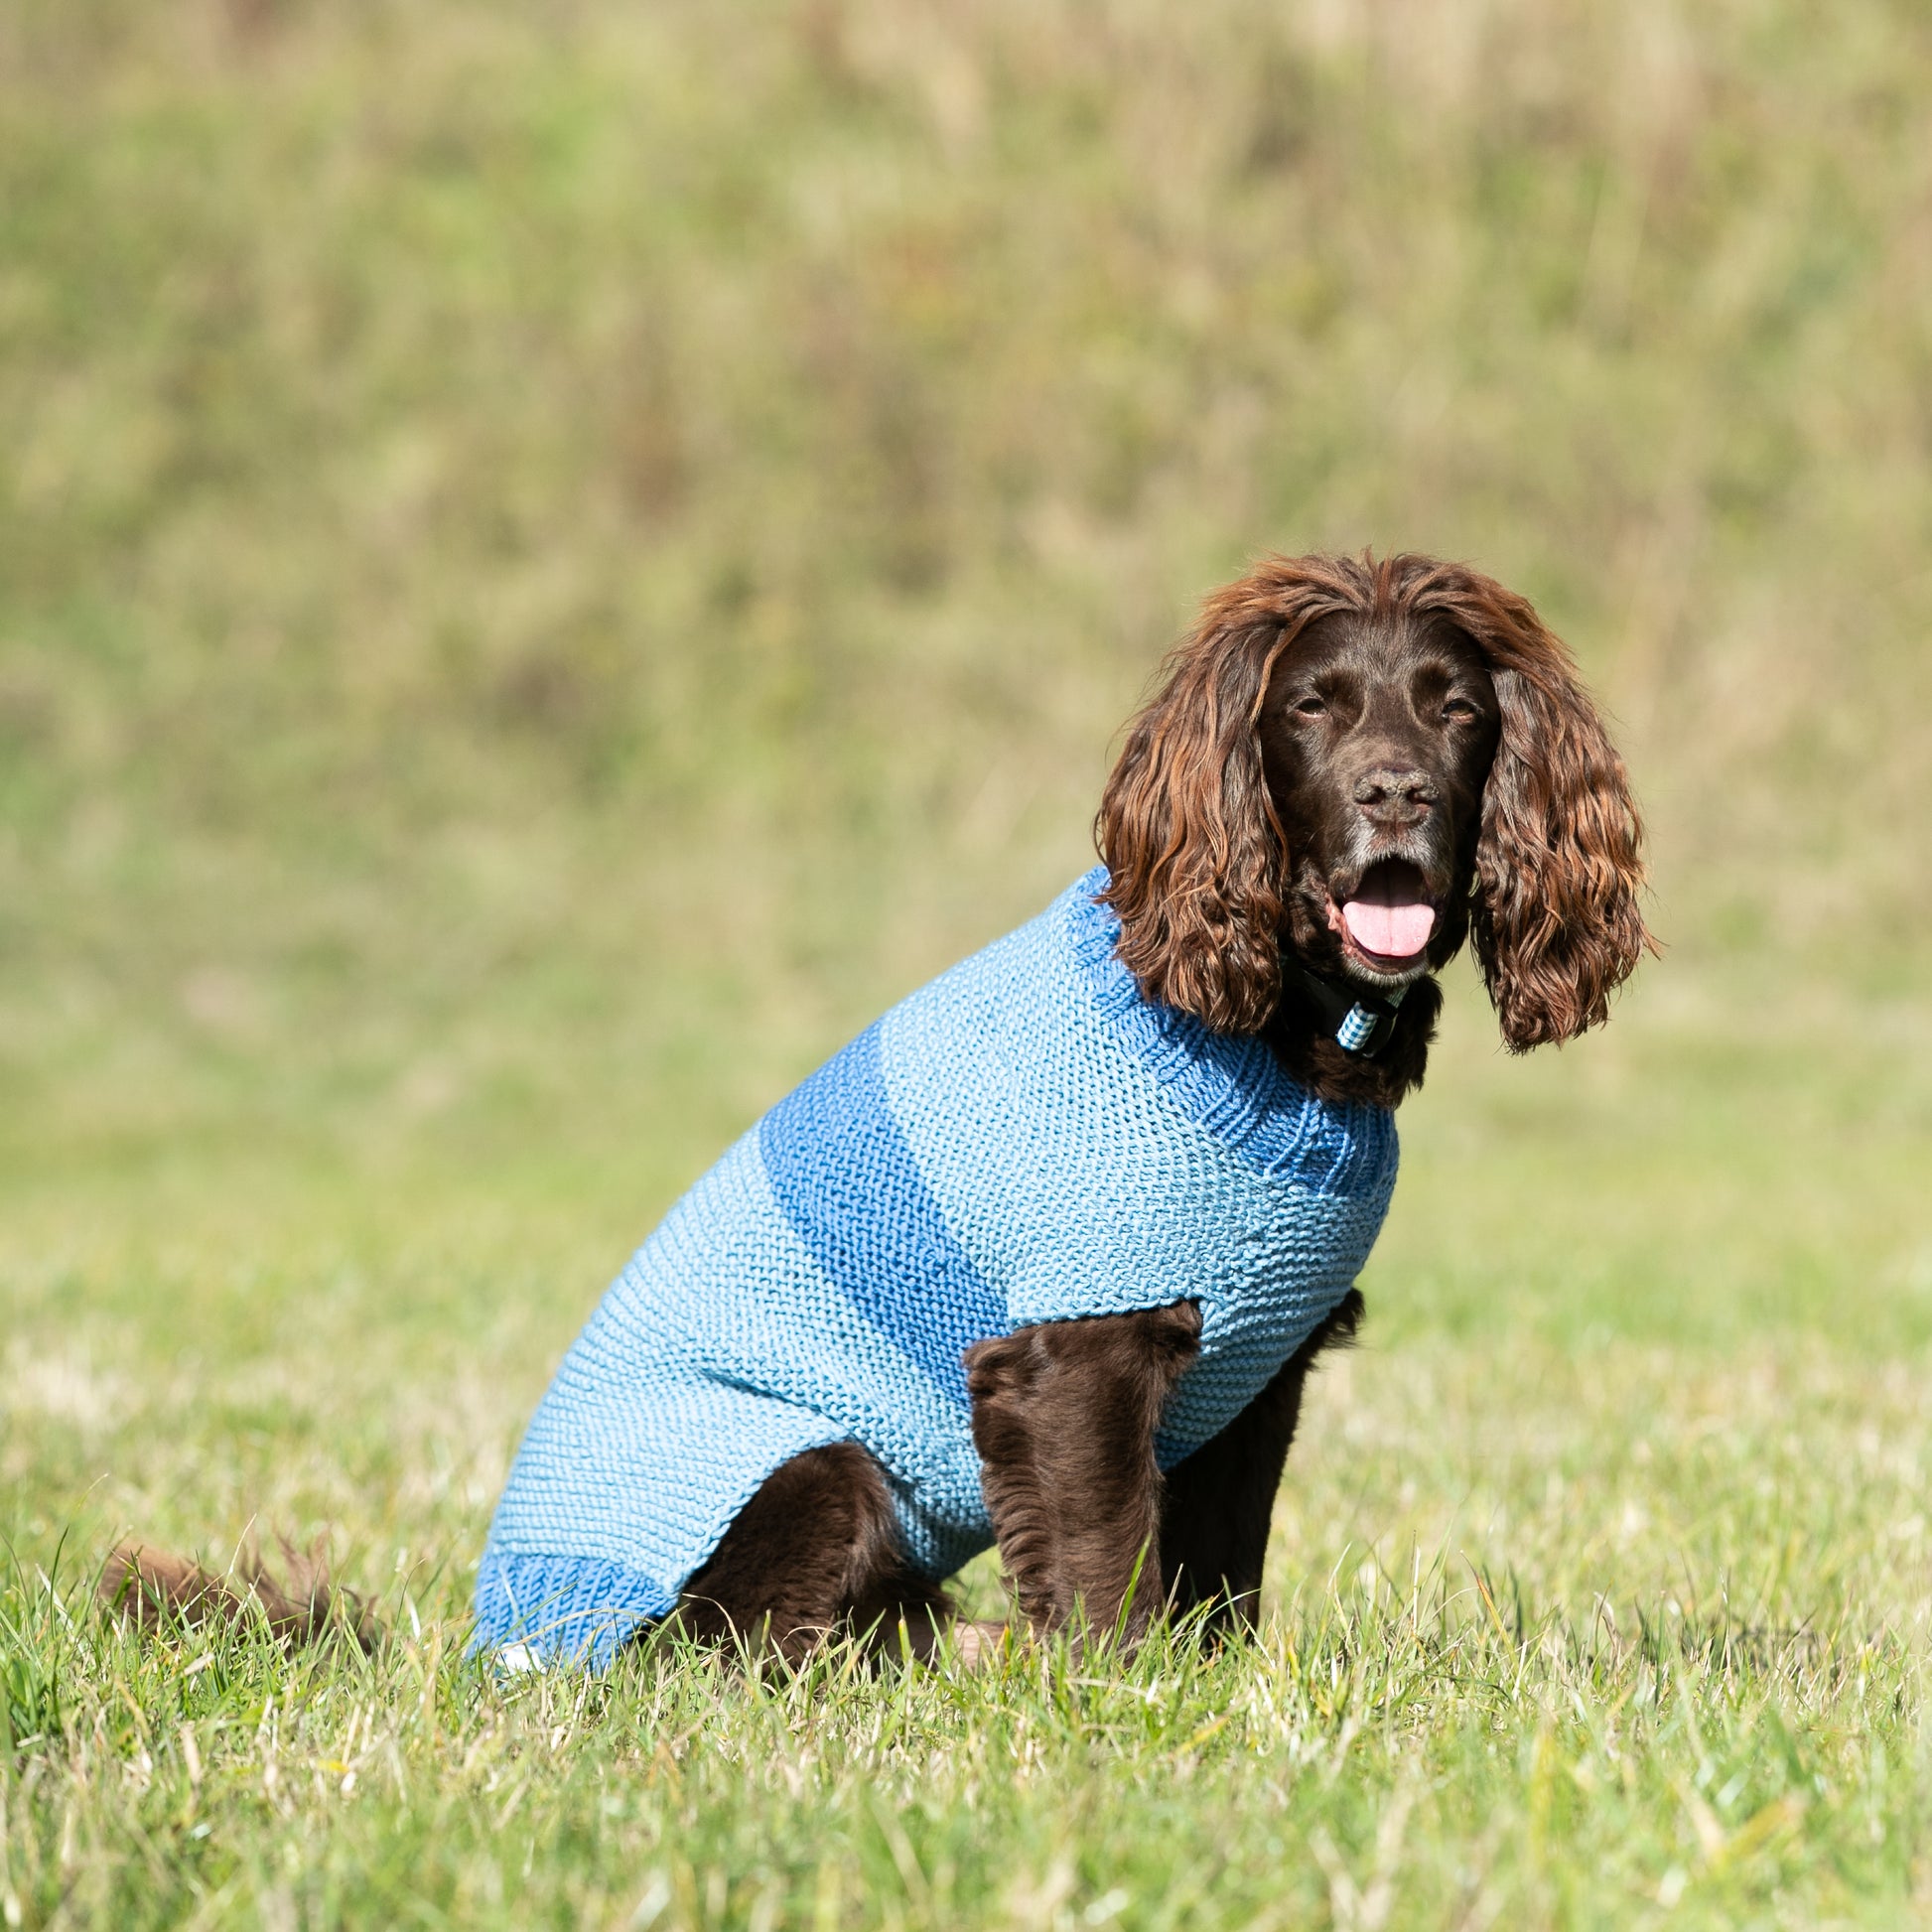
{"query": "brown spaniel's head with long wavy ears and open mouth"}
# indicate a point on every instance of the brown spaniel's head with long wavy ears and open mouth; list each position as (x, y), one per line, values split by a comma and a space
(1371, 762)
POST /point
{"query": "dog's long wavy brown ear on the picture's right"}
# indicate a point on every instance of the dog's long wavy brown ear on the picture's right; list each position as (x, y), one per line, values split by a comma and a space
(1560, 859)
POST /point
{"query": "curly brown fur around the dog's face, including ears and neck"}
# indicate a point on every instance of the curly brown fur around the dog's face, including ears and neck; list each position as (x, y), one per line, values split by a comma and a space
(1203, 855)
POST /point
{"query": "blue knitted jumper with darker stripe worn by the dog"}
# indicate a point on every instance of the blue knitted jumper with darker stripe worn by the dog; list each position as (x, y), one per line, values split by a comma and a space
(1023, 1141)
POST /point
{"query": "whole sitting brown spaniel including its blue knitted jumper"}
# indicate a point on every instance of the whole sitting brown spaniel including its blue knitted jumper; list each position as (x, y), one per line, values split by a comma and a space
(1046, 1257)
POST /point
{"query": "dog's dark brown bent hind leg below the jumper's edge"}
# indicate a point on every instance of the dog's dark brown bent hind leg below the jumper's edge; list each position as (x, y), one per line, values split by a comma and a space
(812, 1554)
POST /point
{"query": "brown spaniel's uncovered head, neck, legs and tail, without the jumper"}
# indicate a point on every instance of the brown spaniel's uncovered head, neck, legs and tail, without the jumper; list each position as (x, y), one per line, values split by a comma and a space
(1350, 770)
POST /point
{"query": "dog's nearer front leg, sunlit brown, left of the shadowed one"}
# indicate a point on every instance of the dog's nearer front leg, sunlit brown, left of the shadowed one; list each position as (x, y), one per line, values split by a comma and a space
(1064, 1415)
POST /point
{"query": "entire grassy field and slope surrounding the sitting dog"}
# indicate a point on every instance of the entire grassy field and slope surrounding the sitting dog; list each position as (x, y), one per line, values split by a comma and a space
(554, 559)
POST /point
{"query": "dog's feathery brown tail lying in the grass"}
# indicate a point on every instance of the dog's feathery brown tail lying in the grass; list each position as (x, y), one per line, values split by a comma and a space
(163, 1593)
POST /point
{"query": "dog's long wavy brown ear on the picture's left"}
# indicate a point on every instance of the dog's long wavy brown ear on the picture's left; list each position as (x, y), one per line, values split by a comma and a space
(1193, 845)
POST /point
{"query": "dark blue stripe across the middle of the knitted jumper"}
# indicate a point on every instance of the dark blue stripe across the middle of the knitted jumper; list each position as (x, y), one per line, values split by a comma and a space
(849, 1185)
